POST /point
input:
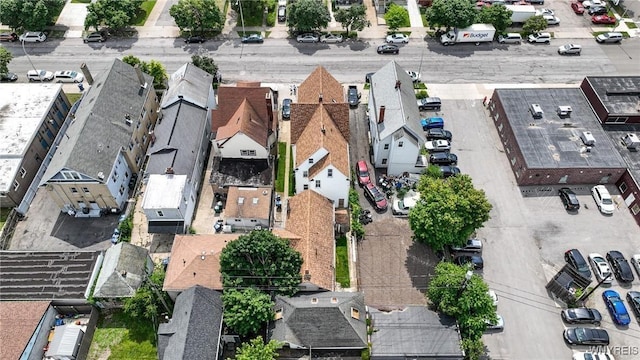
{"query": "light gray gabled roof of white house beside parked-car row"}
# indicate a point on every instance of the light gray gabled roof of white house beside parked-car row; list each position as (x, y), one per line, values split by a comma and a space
(400, 105)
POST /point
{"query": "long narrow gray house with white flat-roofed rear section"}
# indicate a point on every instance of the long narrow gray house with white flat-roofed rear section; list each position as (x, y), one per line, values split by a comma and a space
(178, 150)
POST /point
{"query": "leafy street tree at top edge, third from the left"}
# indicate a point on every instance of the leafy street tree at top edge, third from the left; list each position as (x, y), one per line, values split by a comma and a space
(197, 15)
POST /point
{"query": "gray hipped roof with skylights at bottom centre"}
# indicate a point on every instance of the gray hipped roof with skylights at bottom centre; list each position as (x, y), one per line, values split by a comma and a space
(325, 320)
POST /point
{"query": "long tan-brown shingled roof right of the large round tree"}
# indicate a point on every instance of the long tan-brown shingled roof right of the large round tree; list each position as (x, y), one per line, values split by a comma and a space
(311, 217)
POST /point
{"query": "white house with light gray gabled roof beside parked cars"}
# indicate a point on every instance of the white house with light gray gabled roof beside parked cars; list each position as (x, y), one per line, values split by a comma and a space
(394, 122)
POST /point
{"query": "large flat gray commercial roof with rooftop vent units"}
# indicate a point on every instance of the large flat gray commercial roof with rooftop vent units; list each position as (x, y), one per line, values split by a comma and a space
(552, 141)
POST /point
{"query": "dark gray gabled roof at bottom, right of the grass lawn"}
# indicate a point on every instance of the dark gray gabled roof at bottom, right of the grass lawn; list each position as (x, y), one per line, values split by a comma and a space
(194, 331)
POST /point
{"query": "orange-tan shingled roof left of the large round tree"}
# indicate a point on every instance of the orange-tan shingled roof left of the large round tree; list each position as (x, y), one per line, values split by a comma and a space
(187, 266)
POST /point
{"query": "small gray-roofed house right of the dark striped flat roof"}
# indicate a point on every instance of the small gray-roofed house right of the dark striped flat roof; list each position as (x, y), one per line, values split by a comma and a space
(124, 269)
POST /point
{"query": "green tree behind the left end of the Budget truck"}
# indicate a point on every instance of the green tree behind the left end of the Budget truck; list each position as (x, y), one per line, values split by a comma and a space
(451, 13)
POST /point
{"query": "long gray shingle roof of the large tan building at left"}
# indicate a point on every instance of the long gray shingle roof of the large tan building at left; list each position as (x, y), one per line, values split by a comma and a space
(98, 132)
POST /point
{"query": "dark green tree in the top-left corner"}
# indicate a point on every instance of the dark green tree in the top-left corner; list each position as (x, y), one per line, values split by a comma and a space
(34, 15)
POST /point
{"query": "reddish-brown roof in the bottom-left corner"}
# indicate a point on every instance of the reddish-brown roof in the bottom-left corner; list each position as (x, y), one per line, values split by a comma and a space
(18, 322)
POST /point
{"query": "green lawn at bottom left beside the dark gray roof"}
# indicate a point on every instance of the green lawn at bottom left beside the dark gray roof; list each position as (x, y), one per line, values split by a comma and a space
(123, 338)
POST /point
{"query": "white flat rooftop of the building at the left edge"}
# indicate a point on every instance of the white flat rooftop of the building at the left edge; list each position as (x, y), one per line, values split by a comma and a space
(22, 110)
